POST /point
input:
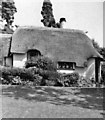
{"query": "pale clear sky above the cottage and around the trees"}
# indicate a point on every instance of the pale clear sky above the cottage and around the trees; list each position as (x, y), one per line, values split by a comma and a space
(83, 15)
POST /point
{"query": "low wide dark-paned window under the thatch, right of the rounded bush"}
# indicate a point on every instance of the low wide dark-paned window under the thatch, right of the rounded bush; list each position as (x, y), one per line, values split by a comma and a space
(66, 65)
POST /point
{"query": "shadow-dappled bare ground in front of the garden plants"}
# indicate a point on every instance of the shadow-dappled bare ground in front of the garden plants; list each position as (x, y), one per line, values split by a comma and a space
(51, 102)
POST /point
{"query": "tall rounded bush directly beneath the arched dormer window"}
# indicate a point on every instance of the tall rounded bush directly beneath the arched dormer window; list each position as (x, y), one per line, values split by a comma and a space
(43, 63)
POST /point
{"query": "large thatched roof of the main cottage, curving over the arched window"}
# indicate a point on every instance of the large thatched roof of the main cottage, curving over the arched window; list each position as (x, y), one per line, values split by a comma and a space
(58, 44)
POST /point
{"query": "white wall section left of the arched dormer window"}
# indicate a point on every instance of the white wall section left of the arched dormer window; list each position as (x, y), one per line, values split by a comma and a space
(19, 60)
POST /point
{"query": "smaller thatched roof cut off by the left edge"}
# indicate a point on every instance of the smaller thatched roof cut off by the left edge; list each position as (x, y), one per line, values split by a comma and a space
(4, 45)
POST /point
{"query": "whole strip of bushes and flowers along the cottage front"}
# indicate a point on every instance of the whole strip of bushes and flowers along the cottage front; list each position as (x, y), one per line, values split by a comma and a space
(42, 71)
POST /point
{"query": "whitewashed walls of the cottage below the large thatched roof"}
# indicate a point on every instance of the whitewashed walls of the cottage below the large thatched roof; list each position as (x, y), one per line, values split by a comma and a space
(89, 71)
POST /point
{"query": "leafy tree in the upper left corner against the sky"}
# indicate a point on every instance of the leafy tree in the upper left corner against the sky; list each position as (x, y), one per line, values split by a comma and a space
(8, 11)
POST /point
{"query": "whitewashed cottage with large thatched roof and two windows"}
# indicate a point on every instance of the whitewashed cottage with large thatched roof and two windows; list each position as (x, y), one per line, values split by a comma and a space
(71, 49)
